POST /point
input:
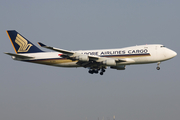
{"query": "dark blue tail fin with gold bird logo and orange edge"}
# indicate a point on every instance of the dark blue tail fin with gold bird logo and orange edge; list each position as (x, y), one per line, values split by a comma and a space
(21, 44)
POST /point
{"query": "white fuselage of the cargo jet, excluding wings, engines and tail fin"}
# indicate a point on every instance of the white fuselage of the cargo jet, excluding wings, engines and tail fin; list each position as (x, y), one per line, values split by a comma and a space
(133, 55)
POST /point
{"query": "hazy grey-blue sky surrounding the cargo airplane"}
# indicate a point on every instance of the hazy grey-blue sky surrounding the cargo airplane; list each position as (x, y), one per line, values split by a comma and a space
(32, 91)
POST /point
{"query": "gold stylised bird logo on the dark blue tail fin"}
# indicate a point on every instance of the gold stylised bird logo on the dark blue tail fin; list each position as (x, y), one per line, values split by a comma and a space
(24, 46)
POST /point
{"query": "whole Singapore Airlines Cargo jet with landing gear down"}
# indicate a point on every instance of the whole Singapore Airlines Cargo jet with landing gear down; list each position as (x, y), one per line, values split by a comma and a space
(95, 60)
